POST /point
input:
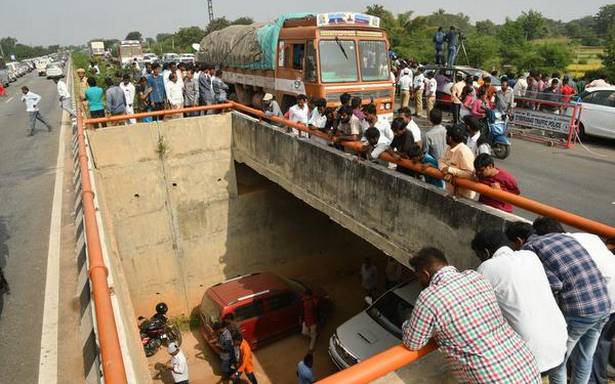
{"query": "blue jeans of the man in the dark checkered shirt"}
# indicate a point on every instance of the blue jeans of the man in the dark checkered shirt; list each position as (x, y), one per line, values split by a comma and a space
(583, 334)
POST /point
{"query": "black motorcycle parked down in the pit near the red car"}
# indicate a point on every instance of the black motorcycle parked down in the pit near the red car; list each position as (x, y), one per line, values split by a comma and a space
(158, 331)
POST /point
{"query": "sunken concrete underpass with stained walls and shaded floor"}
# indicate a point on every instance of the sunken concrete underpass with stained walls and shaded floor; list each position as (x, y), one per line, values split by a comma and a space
(189, 203)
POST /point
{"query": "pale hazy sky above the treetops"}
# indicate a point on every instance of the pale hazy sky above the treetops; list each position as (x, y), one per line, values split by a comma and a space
(66, 22)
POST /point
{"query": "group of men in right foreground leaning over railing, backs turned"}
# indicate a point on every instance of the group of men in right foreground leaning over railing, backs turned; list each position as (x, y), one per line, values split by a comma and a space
(541, 300)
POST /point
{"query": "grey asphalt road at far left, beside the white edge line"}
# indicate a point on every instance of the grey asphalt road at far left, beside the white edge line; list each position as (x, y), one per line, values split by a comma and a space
(27, 175)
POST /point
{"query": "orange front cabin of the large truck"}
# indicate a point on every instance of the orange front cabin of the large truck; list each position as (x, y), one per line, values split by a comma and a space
(334, 54)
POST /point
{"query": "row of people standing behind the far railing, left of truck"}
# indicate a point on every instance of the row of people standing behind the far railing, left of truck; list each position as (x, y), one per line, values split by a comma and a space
(157, 87)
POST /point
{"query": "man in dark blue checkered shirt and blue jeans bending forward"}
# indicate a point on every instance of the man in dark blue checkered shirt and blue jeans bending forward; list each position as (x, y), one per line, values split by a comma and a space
(580, 290)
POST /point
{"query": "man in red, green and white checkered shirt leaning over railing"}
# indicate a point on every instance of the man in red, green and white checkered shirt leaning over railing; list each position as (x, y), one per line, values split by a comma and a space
(459, 311)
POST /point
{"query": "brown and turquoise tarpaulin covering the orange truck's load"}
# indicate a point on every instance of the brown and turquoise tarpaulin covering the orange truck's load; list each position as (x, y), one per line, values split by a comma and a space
(245, 46)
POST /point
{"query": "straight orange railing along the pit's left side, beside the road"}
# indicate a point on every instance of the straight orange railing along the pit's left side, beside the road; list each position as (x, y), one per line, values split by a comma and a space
(110, 351)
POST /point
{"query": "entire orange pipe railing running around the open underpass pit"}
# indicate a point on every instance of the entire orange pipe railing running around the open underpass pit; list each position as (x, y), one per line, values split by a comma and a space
(382, 363)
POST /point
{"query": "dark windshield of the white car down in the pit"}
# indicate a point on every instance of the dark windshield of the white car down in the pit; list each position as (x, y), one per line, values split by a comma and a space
(390, 311)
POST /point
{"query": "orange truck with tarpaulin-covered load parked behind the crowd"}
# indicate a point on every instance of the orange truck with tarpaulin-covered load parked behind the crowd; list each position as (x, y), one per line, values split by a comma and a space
(320, 55)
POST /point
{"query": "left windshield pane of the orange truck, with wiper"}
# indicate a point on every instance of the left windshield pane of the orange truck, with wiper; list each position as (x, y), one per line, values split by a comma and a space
(338, 63)
